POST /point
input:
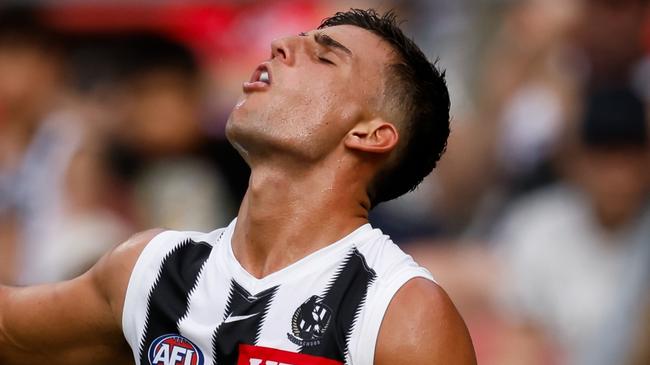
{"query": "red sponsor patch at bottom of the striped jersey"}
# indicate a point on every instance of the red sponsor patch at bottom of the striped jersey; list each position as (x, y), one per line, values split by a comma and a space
(257, 355)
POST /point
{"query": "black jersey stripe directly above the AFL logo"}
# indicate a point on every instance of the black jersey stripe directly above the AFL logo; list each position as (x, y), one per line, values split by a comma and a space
(168, 299)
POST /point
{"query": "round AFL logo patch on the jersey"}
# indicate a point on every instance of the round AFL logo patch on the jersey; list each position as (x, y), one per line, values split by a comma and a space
(174, 349)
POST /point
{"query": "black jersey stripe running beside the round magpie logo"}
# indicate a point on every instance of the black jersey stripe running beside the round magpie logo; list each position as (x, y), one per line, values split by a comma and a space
(345, 297)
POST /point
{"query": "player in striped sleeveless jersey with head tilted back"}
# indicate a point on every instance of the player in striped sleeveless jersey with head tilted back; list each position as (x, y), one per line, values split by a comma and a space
(338, 120)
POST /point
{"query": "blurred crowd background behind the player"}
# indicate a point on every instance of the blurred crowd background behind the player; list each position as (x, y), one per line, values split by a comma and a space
(537, 221)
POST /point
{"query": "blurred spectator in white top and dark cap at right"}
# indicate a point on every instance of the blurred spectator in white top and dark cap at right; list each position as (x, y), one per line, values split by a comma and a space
(575, 254)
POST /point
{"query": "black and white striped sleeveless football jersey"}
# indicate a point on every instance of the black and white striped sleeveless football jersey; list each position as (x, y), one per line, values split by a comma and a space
(189, 302)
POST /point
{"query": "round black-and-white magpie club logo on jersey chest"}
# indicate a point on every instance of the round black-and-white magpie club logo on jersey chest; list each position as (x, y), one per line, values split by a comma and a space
(309, 322)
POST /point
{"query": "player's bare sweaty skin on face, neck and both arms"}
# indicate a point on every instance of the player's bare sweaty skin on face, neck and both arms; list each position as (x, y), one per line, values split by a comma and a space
(314, 138)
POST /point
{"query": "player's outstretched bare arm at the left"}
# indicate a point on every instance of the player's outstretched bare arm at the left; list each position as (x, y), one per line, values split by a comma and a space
(73, 322)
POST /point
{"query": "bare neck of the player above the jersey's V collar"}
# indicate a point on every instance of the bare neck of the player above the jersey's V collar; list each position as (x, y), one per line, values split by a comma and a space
(285, 217)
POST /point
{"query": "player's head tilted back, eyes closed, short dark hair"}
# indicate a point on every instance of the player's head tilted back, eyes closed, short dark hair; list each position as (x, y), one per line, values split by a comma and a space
(355, 89)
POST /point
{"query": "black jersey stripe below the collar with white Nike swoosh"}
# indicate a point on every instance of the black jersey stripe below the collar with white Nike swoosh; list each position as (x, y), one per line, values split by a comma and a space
(228, 336)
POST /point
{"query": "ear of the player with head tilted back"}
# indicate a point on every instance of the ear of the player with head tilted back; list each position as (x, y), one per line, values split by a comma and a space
(373, 136)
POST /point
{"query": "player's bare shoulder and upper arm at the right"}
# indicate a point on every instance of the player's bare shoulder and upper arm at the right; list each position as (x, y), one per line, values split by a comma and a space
(422, 326)
